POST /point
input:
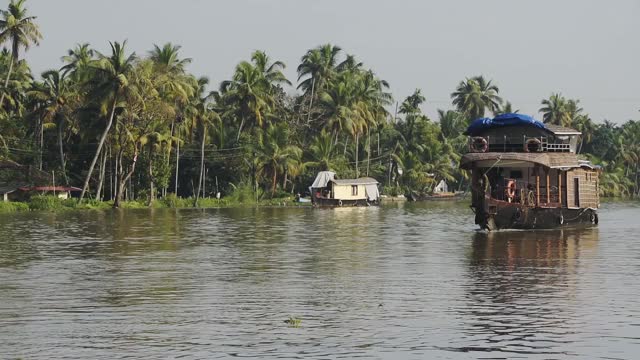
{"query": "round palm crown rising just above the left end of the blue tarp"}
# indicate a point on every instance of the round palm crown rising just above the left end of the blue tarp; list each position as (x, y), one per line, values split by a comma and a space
(475, 96)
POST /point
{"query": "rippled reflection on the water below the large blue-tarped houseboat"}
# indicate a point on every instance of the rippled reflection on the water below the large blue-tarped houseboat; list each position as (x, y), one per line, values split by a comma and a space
(523, 287)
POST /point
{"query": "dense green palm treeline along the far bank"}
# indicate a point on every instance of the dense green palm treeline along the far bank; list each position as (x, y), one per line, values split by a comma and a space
(141, 127)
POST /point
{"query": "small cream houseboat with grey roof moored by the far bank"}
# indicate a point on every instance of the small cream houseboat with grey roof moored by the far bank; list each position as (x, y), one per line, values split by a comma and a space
(327, 190)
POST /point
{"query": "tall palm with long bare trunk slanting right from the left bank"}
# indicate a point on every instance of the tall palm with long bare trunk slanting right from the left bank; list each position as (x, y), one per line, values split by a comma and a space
(111, 81)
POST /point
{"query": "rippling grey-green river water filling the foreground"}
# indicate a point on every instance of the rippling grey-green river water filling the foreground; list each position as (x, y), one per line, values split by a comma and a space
(402, 281)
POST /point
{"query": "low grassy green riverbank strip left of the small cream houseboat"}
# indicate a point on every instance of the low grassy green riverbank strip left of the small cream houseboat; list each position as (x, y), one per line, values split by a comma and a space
(51, 203)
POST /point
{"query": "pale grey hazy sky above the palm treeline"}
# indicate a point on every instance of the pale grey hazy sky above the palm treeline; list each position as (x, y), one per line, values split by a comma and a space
(588, 50)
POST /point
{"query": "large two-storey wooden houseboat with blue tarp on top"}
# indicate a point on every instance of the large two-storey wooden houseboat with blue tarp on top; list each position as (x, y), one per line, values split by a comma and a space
(526, 175)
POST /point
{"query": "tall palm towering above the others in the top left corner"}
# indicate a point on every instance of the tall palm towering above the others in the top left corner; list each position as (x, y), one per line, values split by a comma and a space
(20, 30)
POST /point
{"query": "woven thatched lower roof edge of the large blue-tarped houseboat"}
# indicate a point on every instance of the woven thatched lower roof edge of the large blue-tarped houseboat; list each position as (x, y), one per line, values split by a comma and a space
(552, 160)
